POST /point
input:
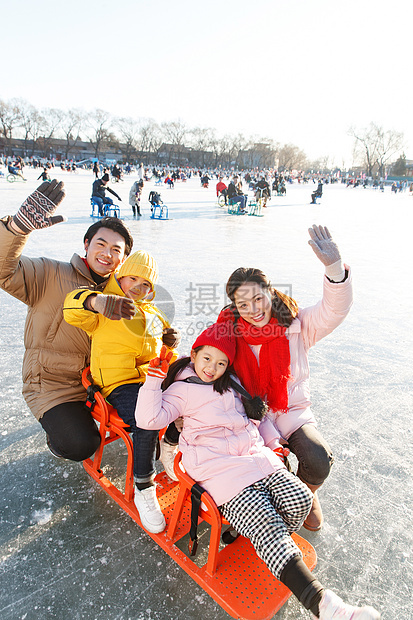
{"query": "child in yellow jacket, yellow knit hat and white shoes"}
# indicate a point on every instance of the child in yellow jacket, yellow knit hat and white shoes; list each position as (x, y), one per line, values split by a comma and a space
(126, 332)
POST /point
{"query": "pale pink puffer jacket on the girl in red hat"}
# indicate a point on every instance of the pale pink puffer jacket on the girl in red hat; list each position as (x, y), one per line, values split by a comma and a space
(221, 448)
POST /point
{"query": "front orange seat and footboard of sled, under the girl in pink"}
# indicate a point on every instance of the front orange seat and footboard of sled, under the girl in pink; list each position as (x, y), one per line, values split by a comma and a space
(235, 577)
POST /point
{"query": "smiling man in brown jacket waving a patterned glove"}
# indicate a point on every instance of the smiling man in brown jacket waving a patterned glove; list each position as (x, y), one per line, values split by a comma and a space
(56, 353)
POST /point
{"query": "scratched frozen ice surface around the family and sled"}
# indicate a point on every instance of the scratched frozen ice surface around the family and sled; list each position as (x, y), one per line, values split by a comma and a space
(69, 552)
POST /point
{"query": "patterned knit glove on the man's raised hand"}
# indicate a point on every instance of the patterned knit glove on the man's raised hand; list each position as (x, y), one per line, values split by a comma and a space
(37, 210)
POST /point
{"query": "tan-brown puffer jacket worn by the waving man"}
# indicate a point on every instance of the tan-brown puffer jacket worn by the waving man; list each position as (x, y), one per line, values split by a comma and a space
(56, 352)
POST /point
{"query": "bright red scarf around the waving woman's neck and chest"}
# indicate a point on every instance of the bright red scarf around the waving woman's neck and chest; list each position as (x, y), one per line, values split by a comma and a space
(268, 378)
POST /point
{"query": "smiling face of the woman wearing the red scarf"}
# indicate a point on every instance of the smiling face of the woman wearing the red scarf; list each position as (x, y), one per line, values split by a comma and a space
(253, 303)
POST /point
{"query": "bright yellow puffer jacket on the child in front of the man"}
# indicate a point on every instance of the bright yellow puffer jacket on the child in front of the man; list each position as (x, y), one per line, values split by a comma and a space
(120, 350)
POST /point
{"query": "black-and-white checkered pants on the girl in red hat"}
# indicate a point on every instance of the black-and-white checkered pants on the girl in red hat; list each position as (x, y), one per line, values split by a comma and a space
(267, 512)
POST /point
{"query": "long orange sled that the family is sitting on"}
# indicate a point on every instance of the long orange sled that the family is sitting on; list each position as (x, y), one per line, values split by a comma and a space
(233, 576)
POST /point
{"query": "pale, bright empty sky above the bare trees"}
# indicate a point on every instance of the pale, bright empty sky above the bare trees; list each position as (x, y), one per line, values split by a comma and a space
(296, 71)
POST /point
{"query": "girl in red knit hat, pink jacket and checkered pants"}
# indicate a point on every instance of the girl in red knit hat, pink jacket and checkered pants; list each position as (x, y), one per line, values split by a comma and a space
(223, 450)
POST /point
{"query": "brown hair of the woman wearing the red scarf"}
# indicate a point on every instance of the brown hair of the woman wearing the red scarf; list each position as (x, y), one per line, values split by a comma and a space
(284, 308)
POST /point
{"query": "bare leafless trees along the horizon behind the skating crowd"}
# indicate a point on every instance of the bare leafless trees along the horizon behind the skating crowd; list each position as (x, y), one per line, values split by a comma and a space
(140, 139)
